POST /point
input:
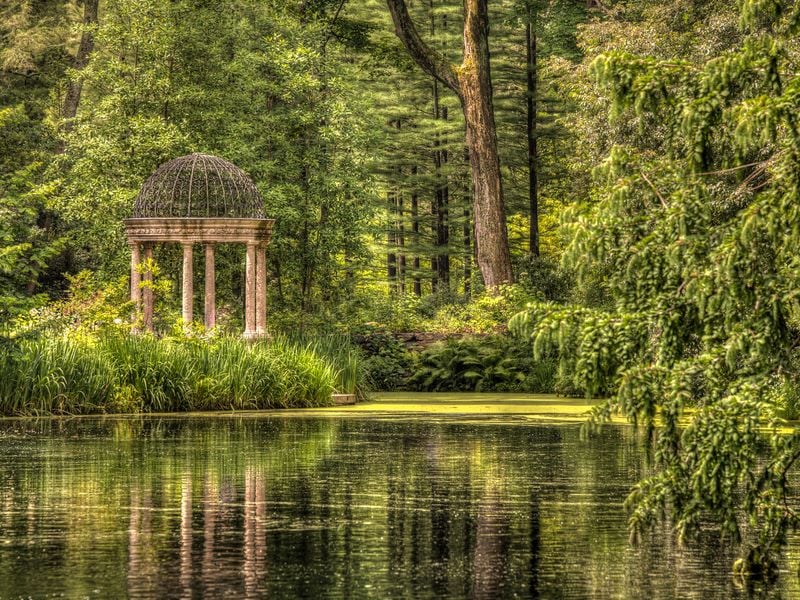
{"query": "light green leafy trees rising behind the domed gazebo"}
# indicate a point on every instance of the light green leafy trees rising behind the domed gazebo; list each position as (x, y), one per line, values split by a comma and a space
(260, 83)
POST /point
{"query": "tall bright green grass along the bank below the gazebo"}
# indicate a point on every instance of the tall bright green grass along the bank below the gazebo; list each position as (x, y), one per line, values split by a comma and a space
(119, 373)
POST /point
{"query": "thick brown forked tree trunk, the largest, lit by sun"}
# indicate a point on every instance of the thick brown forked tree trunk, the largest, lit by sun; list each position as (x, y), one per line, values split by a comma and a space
(472, 83)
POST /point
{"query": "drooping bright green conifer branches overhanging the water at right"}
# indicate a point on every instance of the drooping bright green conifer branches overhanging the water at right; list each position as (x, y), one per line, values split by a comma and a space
(697, 248)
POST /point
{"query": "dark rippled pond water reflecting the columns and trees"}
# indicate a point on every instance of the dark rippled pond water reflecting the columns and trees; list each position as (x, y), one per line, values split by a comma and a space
(334, 504)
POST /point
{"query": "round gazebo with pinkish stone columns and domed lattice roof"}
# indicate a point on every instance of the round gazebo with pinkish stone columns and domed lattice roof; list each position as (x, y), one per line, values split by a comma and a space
(201, 199)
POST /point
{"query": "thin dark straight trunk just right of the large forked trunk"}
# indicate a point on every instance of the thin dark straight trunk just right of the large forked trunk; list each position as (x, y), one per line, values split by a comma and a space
(533, 151)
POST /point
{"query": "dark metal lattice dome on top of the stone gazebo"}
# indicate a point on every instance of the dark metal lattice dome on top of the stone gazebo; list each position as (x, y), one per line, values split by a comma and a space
(199, 185)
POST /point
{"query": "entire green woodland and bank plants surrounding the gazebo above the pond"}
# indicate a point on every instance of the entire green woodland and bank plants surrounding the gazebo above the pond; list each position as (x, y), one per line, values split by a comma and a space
(594, 198)
